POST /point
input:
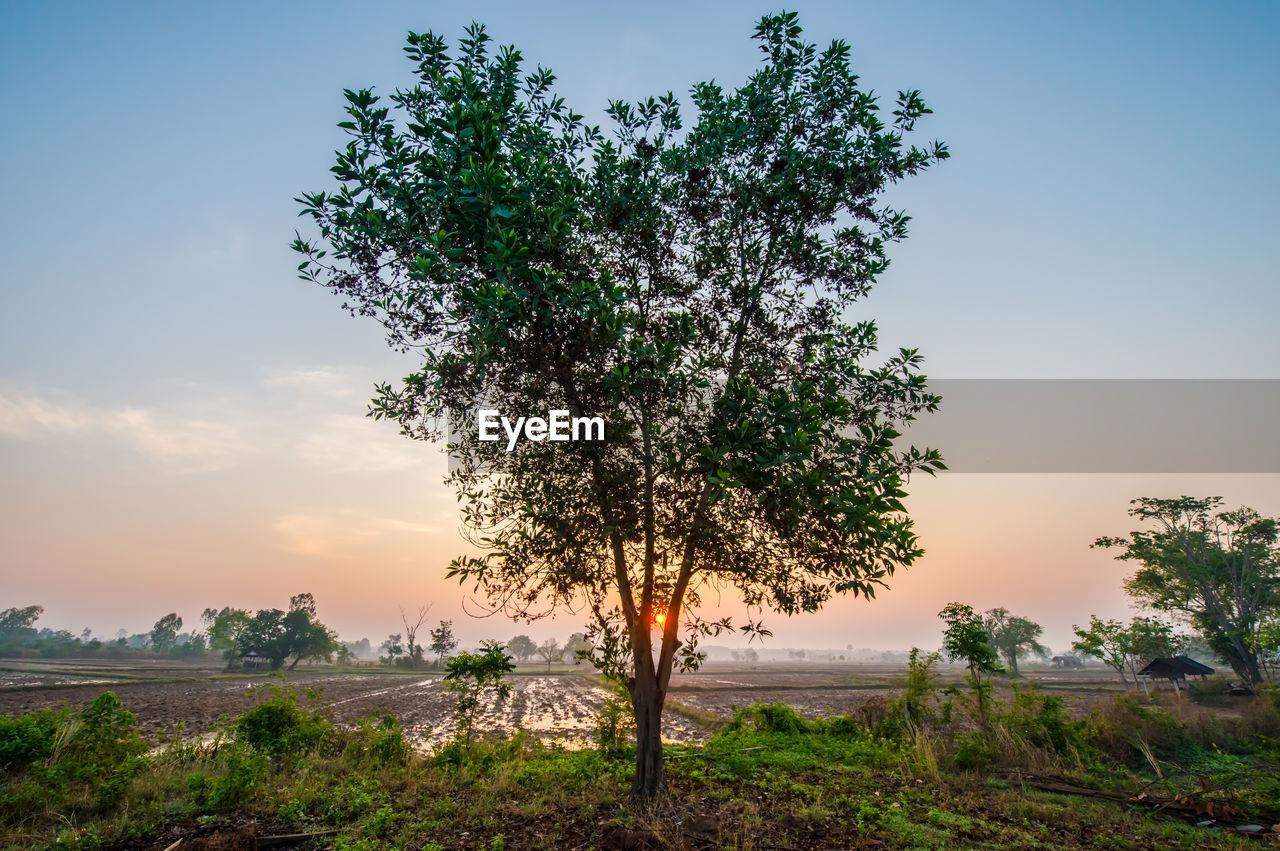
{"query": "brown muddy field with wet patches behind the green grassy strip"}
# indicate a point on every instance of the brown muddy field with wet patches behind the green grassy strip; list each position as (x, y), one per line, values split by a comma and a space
(556, 706)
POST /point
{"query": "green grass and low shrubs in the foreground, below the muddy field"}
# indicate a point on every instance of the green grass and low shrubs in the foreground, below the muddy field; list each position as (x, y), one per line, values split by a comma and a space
(767, 780)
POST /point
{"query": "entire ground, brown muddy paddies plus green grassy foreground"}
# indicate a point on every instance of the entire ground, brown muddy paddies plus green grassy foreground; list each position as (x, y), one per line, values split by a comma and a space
(771, 756)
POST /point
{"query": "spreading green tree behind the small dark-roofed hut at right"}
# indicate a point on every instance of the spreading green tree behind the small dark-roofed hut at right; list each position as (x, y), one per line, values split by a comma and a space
(1218, 569)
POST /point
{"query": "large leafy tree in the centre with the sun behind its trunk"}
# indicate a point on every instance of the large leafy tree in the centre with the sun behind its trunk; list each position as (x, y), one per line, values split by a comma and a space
(688, 286)
